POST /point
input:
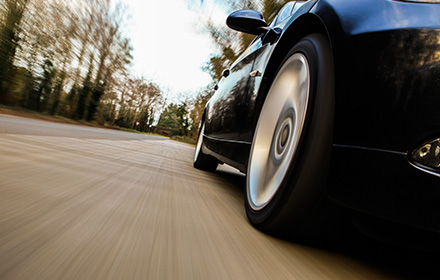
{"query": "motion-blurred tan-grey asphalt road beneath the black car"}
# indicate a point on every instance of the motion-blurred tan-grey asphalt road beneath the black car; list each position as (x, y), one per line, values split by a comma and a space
(85, 203)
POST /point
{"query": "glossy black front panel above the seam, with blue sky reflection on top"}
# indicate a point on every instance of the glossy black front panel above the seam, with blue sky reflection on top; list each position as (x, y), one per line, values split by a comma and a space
(387, 59)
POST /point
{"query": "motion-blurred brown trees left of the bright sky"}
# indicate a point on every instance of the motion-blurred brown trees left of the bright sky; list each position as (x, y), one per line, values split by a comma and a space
(71, 58)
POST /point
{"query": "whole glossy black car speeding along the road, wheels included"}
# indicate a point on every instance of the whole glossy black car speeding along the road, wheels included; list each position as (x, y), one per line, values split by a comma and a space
(334, 100)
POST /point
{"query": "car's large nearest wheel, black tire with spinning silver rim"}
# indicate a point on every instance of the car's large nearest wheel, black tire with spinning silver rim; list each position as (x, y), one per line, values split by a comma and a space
(291, 148)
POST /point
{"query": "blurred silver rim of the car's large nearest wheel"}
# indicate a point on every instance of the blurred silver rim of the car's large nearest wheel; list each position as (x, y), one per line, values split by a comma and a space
(278, 131)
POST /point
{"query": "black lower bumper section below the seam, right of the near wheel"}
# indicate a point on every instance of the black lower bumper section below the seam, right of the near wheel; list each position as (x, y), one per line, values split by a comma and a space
(383, 184)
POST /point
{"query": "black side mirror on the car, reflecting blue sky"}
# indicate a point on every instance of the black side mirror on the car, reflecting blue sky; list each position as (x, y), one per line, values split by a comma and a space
(247, 21)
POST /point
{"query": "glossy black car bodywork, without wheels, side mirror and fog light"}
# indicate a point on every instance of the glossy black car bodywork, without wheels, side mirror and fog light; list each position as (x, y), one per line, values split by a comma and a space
(387, 65)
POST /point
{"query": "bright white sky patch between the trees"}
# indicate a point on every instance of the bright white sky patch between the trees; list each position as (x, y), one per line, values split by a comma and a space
(170, 47)
